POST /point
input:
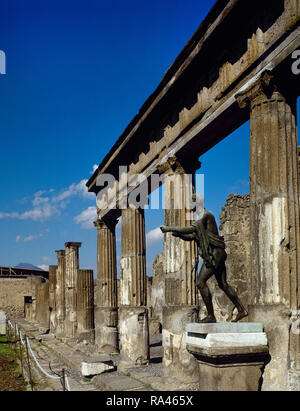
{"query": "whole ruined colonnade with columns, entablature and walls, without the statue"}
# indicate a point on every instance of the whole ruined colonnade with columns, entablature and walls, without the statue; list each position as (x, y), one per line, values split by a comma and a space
(235, 68)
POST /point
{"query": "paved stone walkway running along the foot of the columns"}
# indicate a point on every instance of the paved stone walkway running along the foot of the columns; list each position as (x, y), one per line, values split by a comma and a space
(65, 354)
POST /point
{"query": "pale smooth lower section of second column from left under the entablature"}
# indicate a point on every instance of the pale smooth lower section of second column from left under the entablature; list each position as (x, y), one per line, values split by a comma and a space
(134, 337)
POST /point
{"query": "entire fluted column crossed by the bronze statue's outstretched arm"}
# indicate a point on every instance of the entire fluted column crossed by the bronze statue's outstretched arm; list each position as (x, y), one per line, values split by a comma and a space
(181, 302)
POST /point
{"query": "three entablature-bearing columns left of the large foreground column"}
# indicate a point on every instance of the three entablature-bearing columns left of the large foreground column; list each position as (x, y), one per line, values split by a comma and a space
(181, 293)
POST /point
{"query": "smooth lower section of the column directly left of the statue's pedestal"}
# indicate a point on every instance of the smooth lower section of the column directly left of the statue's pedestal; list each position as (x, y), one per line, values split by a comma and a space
(178, 363)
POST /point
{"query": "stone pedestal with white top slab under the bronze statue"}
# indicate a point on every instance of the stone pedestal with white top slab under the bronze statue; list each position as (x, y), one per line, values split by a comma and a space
(230, 356)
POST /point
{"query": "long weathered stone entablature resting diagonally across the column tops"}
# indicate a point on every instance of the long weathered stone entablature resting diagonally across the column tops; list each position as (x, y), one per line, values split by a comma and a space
(195, 120)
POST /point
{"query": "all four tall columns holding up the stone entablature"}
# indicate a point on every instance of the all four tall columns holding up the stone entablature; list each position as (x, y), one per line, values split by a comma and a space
(274, 236)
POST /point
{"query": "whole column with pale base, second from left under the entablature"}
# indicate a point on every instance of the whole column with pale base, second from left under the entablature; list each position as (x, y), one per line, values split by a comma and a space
(133, 324)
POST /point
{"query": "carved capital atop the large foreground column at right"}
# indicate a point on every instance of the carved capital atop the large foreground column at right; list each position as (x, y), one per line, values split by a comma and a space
(264, 88)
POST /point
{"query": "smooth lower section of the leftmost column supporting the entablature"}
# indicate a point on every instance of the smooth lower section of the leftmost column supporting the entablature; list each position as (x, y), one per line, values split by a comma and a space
(106, 329)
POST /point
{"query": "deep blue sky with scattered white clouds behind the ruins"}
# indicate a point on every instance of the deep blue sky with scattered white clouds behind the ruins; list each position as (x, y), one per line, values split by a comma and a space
(77, 73)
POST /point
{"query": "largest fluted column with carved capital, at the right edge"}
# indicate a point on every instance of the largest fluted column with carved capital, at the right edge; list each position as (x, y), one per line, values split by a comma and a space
(274, 224)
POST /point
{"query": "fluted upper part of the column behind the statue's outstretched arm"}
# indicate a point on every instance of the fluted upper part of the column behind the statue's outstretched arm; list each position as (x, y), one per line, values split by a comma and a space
(179, 255)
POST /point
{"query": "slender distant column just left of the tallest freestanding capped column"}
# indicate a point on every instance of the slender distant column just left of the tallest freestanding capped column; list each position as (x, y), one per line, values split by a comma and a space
(60, 293)
